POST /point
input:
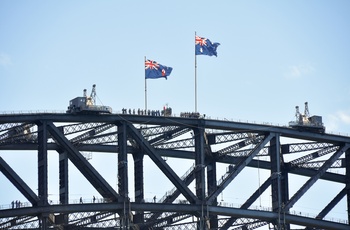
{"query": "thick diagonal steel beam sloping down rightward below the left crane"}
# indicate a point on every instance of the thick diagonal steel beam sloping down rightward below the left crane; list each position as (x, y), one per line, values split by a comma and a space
(90, 173)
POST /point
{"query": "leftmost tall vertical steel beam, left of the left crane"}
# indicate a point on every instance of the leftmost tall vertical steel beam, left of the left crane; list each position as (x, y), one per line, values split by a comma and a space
(42, 169)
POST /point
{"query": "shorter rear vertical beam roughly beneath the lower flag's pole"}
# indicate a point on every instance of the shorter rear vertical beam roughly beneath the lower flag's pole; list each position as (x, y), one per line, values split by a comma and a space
(139, 185)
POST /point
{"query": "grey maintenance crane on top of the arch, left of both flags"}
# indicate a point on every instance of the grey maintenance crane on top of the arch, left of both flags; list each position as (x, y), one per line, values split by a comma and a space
(87, 104)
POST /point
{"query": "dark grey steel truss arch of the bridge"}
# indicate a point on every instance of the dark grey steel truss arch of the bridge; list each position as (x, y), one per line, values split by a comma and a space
(209, 144)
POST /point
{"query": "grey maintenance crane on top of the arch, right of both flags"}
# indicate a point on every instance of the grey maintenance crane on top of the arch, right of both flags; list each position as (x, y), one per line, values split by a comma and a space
(305, 122)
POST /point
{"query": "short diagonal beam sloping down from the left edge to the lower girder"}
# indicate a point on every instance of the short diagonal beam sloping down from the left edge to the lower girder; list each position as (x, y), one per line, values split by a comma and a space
(18, 182)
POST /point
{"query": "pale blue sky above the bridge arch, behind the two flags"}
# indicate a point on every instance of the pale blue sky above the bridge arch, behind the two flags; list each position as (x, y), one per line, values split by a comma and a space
(273, 56)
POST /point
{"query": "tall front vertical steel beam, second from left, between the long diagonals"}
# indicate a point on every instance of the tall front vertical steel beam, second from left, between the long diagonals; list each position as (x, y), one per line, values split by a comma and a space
(123, 174)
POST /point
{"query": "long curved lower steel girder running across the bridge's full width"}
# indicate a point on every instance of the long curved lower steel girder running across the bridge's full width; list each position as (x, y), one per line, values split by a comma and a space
(181, 208)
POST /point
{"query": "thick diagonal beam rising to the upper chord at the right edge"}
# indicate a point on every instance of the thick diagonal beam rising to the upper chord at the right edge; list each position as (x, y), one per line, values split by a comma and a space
(314, 178)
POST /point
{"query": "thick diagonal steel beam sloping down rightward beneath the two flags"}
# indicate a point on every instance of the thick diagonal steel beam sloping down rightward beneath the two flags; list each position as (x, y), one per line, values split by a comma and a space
(163, 166)
